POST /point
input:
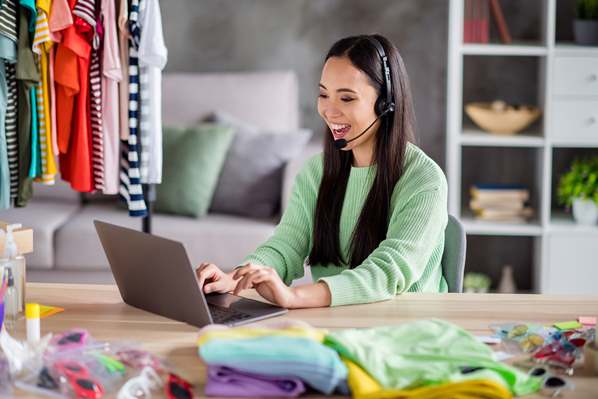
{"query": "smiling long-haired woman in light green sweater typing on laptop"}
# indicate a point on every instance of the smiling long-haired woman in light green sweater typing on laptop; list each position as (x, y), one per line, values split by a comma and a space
(369, 213)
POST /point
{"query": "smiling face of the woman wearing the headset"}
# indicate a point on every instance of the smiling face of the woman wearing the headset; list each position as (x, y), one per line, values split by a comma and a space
(346, 102)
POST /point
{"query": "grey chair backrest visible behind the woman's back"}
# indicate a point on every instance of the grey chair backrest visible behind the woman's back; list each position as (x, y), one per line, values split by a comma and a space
(453, 257)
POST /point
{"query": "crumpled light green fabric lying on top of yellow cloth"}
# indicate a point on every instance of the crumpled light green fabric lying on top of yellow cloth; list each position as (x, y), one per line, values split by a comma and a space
(426, 352)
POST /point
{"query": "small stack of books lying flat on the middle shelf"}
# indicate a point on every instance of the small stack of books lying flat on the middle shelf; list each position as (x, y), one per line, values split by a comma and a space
(500, 202)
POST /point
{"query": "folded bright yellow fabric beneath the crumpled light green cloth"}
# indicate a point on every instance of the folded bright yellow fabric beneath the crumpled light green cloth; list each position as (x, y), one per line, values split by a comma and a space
(363, 386)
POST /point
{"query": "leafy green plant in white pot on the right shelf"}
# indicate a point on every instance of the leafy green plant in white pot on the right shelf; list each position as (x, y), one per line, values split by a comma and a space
(578, 188)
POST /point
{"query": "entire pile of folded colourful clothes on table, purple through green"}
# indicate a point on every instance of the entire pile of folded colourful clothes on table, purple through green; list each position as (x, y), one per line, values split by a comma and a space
(422, 359)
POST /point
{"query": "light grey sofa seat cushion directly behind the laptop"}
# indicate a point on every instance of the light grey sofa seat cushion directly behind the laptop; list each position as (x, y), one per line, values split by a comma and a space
(221, 239)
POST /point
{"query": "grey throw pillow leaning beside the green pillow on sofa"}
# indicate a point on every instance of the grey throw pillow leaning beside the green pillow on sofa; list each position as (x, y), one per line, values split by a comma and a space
(251, 180)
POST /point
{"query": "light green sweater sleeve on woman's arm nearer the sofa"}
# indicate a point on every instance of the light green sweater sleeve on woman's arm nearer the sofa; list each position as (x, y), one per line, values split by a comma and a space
(288, 247)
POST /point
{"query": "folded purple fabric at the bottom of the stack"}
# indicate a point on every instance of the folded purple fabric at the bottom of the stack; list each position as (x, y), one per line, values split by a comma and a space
(226, 381)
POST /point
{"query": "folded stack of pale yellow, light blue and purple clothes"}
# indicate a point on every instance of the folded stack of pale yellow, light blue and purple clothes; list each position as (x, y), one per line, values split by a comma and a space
(266, 362)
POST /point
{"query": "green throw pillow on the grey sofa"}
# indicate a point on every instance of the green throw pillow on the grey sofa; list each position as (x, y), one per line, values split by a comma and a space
(193, 159)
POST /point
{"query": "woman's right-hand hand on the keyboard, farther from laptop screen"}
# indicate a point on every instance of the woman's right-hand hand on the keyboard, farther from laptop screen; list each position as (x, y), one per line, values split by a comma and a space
(266, 282)
